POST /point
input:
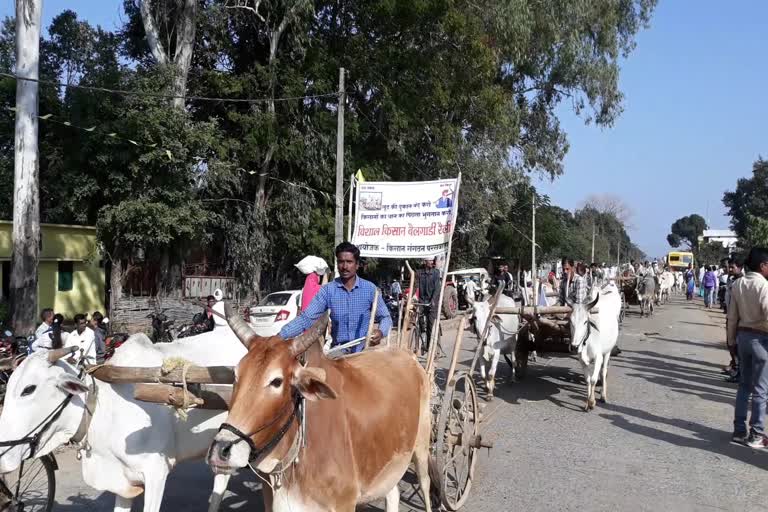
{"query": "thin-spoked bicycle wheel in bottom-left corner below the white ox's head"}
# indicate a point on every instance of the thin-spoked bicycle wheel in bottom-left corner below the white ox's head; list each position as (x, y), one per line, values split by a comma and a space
(31, 488)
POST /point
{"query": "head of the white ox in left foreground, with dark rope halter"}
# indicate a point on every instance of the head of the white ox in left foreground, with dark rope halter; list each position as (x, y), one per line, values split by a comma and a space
(38, 387)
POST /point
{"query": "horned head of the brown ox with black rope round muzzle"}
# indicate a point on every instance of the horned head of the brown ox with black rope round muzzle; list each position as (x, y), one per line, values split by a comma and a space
(270, 381)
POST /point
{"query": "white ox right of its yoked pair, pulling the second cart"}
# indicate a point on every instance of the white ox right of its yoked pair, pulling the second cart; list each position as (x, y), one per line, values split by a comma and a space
(593, 336)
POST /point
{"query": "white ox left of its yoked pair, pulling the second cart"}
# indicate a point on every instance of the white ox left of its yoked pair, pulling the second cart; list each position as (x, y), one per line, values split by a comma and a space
(502, 337)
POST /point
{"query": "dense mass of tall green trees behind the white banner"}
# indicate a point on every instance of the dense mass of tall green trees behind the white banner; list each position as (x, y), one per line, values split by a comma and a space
(434, 87)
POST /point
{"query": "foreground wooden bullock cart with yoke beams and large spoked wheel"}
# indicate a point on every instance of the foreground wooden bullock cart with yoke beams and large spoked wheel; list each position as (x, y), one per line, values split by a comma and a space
(456, 436)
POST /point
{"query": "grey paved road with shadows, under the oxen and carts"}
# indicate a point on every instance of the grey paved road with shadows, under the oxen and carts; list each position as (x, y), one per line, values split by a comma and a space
(662, 443)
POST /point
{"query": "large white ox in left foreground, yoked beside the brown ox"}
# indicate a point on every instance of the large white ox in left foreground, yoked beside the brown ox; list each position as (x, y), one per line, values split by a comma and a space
(130, 446)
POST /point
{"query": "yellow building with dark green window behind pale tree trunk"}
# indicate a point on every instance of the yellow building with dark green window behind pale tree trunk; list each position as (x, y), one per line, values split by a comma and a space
(71, 274)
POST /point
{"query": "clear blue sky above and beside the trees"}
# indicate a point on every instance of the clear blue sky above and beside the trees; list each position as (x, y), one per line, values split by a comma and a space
(694, 115)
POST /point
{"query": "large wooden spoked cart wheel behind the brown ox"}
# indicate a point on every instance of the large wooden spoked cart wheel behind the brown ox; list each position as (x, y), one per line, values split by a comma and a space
(458, 439)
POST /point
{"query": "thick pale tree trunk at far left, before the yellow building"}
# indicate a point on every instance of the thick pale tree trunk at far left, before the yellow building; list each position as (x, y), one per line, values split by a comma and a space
(26, 196)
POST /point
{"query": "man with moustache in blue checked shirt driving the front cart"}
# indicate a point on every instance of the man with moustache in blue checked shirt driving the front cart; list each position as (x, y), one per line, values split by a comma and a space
(350, 299)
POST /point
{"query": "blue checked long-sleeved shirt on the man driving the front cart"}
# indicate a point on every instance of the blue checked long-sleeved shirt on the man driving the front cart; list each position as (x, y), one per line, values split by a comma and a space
(350, 312)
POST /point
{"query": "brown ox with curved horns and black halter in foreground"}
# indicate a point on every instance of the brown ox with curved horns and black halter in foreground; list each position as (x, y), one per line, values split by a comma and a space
(367, 417)
